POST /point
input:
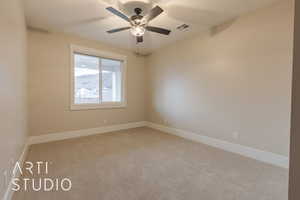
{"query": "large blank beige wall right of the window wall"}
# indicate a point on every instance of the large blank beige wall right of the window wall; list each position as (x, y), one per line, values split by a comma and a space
(237, 79)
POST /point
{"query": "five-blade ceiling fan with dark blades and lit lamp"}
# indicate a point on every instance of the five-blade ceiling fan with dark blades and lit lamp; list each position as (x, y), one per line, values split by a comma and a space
(139, 23)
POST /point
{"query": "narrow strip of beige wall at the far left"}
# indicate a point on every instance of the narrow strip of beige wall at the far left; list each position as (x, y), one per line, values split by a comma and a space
(13, 86)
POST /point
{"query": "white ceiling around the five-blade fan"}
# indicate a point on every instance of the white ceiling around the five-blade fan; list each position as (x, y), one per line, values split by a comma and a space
(90, 19)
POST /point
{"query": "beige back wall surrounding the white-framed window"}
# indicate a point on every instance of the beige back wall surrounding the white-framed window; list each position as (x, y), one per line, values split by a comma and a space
(49, 87)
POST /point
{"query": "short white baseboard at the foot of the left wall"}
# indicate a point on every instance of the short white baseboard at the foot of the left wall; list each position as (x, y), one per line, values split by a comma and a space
(15, 174)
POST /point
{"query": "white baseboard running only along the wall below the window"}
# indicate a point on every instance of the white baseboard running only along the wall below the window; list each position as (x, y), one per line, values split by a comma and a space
(81, 133)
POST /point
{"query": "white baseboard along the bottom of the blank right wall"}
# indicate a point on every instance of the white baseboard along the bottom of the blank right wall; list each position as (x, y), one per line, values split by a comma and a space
(263, 156)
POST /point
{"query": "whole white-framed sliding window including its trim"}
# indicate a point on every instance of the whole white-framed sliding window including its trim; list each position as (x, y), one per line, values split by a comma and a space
(98, 79)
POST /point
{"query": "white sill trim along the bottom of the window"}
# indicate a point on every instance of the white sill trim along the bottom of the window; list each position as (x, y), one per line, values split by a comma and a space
(77, 107)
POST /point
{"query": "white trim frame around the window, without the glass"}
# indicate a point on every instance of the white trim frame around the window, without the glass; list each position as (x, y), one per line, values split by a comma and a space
(103, 54)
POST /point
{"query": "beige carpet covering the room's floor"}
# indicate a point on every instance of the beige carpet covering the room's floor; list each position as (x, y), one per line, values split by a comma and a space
(145, 164)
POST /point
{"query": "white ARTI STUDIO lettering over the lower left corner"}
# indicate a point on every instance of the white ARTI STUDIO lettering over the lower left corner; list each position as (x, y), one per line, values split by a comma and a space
(38, 184)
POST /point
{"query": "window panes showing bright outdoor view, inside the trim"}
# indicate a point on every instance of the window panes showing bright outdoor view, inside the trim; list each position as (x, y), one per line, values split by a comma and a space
(97, 80)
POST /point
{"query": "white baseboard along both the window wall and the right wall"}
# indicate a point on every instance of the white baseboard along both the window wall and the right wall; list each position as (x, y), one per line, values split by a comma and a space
(263, 156)
